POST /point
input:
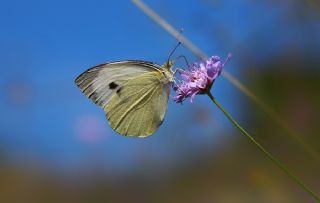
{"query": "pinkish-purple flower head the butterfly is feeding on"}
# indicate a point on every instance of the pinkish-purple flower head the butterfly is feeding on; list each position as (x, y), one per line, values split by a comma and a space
(198, 79)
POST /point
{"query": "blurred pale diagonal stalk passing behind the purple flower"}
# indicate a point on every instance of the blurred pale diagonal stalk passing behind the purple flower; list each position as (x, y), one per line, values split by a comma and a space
(258, 101)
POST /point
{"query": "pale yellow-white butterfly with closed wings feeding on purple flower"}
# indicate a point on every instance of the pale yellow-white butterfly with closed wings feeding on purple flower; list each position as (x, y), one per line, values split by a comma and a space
(134, 94)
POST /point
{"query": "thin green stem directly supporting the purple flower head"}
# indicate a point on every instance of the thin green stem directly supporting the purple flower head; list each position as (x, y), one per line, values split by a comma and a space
(265, 152)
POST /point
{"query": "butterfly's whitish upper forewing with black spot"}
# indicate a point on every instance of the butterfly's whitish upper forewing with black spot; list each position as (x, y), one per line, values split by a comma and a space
(101, 82)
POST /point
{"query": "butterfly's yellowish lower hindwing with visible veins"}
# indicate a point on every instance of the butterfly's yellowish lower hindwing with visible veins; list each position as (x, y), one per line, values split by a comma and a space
(139, 107)
